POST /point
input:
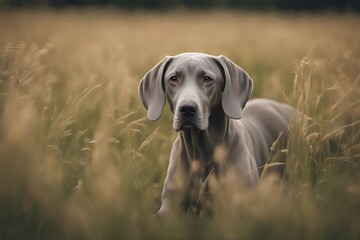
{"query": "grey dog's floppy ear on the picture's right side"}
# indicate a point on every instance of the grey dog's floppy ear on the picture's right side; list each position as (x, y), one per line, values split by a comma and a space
(237, 90)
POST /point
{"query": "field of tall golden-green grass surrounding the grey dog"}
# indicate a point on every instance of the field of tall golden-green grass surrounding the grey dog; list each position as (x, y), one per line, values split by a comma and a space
(79, 160)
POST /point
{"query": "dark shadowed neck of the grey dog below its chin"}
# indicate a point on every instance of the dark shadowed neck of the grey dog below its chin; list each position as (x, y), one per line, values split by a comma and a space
(199, 145)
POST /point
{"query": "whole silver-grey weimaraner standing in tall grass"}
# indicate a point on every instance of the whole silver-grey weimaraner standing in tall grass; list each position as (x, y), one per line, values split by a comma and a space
(207, 96)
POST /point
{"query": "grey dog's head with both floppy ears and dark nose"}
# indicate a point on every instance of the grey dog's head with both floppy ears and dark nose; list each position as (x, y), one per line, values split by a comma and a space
(194, 84)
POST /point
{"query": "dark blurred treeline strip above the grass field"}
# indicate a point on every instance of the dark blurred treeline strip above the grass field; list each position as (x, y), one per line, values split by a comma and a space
(308, 5)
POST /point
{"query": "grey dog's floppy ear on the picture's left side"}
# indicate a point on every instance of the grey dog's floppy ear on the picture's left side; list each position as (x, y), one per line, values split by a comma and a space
(151, 90)
